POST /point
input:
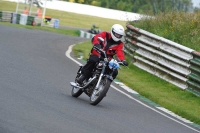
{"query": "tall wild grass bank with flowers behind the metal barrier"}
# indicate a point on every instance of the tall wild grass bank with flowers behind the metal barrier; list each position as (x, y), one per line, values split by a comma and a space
(180, 27)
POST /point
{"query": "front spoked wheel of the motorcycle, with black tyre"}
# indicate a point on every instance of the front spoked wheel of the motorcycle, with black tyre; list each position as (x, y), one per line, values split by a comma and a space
(99, 93)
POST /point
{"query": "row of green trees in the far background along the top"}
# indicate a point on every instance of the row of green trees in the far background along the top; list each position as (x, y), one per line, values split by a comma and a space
(141, 6)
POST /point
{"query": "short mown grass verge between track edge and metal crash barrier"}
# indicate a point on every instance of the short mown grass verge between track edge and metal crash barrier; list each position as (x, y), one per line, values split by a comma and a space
(161, 92)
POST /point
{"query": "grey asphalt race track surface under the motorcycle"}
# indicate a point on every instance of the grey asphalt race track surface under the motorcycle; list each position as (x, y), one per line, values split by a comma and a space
(35, 94)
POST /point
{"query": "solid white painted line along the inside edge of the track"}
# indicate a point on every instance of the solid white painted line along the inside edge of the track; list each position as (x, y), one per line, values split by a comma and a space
(129, 96)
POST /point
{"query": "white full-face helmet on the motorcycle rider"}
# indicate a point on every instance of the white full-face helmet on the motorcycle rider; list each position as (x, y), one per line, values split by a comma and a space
(117, 32)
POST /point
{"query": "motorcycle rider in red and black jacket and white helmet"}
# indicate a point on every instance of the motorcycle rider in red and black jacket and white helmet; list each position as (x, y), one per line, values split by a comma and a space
(112, 45)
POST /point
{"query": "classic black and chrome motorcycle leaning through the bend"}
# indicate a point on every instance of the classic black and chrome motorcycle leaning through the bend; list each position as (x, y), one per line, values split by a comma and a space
(99, 83)
